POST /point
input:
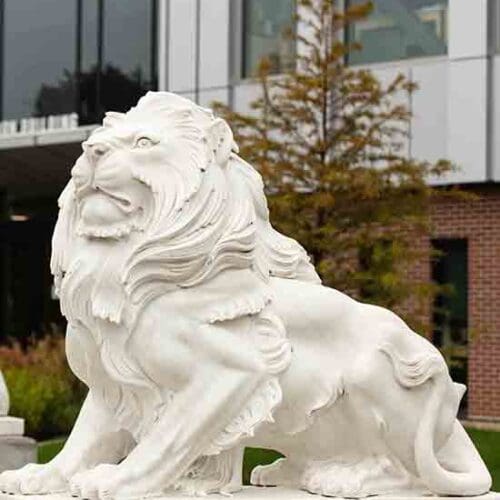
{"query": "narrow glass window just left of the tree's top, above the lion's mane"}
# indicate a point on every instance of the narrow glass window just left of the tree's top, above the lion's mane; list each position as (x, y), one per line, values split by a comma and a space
(265, 23)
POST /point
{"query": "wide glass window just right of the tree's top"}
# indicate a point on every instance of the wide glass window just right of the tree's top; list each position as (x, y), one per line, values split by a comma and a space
(400, 29)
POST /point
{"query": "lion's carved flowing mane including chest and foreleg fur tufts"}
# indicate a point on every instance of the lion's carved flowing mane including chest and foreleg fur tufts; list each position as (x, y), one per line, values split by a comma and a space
(207, 214)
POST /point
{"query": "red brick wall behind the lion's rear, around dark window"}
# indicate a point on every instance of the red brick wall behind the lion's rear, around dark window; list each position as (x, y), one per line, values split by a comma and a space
(478, 221)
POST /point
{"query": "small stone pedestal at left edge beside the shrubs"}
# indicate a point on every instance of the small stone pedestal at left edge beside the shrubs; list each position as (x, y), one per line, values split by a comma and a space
(16, 450)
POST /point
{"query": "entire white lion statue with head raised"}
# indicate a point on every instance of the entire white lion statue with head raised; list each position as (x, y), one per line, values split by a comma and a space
(200, 330)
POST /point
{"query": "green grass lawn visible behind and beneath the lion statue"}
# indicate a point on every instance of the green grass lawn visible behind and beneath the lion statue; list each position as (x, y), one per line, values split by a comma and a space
(487, 442)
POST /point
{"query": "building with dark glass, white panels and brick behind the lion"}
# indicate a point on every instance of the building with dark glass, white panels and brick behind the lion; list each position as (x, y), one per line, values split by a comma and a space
(63, 62)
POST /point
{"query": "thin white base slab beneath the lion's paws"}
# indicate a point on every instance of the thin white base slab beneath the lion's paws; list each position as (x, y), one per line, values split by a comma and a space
(254, 493)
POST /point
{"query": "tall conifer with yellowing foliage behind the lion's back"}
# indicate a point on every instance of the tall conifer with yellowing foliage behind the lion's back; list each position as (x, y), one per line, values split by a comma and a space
(331, 143)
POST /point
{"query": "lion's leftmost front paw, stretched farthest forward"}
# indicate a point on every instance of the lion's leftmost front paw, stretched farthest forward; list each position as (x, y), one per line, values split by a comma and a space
(33, 479)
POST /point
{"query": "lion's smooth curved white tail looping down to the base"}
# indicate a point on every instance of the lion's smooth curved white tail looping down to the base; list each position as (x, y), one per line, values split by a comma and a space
(474, 479)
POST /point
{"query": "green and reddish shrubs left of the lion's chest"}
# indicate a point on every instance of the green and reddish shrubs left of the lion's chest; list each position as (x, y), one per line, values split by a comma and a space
(42, 388)
